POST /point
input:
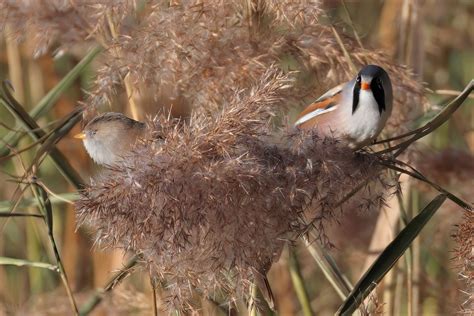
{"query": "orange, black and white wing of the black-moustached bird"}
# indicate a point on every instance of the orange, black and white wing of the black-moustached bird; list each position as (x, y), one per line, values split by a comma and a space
(315, 112)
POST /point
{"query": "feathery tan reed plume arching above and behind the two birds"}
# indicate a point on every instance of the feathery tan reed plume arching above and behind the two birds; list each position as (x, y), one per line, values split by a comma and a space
(216, 48)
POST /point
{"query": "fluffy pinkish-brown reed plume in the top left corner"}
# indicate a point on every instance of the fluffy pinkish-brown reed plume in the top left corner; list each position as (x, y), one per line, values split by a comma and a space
(59, 24)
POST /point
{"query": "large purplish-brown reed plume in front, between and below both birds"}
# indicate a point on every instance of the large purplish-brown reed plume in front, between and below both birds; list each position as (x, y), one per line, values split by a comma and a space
(210, 202)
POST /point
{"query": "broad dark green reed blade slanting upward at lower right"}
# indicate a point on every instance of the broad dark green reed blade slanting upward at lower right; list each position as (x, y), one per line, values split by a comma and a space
(389, 257)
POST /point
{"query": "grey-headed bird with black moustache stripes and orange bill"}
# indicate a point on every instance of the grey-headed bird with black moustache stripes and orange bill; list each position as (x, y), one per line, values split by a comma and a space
(355, 112)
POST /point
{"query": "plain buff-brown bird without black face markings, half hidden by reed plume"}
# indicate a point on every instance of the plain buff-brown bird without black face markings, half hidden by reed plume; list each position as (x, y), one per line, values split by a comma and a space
(110, 136)
